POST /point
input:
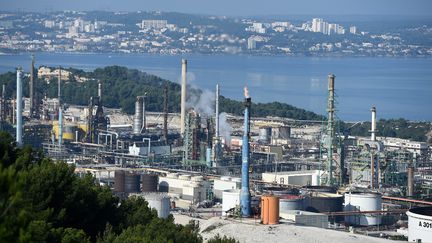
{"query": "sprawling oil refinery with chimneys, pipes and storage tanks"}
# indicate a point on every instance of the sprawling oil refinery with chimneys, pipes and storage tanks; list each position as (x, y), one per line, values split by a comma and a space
(245, 172)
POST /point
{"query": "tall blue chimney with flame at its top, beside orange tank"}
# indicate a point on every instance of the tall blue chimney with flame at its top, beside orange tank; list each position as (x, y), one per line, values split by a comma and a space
(245, 200)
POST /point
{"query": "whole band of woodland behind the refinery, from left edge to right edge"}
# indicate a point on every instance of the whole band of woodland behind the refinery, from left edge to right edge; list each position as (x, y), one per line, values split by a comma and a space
(121, 85)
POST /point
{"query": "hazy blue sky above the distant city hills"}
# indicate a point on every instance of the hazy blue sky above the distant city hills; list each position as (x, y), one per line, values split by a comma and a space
(234, 7)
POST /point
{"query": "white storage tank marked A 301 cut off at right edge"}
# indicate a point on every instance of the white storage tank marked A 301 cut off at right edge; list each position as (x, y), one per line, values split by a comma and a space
(420, 224)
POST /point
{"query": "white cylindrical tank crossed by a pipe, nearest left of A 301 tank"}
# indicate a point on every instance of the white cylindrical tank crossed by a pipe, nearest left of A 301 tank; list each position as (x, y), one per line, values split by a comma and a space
(363, 202)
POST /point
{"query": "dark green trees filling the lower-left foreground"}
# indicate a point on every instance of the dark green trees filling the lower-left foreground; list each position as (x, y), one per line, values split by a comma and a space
(44, 201)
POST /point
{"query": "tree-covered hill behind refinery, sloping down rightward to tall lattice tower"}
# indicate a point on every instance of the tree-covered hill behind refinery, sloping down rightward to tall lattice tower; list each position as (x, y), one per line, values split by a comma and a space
(121, 86)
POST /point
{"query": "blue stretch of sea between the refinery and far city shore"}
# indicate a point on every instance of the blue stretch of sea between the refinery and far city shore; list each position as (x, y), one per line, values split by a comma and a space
(398, 87)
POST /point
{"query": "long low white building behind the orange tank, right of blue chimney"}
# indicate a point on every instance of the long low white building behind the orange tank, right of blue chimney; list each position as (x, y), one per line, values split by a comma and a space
(299, 178)
